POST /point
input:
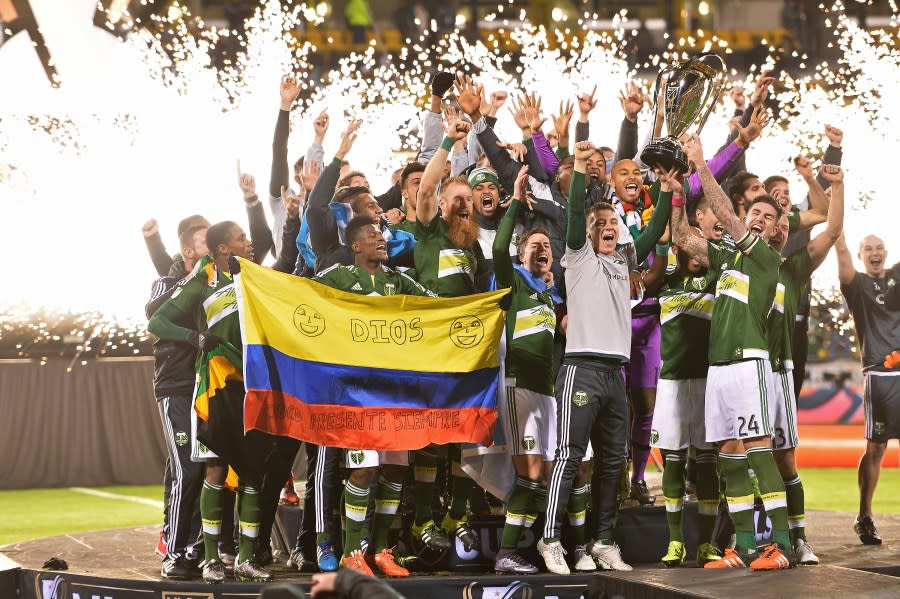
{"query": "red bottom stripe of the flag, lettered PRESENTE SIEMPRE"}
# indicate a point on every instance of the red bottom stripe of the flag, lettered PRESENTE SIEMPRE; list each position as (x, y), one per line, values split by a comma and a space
(352, 427)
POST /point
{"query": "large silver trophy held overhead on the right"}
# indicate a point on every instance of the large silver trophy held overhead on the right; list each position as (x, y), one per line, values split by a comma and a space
(685, 95)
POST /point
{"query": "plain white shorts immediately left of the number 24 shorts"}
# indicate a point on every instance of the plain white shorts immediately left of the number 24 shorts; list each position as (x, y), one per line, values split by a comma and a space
(678, 418)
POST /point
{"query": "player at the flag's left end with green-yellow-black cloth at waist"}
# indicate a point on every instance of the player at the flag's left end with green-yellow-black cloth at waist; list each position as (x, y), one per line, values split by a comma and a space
(208, 297)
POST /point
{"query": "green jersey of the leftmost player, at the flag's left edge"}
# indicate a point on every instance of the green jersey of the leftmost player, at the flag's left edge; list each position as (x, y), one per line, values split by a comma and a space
(209, 294)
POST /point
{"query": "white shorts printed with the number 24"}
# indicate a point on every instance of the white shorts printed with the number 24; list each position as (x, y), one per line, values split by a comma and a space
(737, 398)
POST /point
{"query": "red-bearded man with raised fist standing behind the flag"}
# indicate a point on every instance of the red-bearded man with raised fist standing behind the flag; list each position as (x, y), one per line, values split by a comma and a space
(450, 263)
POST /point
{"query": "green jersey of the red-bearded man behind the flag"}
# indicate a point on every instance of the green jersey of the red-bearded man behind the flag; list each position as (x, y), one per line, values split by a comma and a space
(442, 267)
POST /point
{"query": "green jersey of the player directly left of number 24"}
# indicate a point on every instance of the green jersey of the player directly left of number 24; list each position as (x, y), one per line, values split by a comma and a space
(685, 315)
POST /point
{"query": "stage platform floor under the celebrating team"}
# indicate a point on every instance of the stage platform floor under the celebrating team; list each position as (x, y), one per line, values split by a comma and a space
(120, 564)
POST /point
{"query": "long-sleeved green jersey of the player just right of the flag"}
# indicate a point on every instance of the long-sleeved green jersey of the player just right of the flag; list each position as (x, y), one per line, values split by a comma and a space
(530, 319)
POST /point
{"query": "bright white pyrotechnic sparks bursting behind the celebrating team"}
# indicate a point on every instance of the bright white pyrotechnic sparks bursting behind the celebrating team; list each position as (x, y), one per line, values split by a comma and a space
(132, 135)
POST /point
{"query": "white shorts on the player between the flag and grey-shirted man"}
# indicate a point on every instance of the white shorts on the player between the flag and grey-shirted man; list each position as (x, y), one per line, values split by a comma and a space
(530, 422)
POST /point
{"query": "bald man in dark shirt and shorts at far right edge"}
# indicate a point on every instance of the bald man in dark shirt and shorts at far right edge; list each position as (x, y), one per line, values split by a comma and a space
(878, 331)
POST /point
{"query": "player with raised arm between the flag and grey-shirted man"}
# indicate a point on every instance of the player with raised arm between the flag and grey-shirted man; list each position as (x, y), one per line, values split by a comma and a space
(530, 422)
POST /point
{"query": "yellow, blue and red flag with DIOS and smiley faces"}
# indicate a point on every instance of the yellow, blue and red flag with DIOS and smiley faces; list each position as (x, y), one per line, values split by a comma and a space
(345, 370)
